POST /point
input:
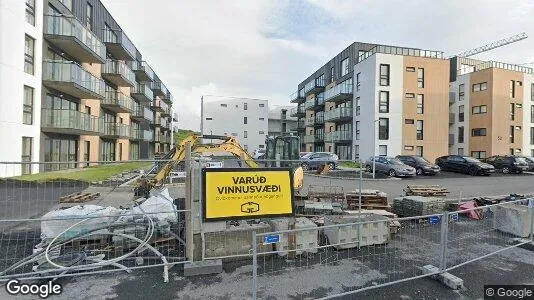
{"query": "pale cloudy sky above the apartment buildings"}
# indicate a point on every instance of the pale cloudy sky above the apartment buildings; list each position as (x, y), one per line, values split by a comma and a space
(263, 49)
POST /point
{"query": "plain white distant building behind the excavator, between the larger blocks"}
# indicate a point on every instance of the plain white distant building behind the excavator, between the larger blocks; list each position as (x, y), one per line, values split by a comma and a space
(244, 118)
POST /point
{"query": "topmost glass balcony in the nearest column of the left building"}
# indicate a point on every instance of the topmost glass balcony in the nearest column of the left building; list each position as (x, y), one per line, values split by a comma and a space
(69, 35)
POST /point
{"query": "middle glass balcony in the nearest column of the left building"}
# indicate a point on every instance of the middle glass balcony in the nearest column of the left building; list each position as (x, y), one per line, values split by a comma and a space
(72, 79)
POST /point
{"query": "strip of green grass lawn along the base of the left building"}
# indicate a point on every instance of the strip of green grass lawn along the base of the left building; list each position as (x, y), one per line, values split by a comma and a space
(88, 174)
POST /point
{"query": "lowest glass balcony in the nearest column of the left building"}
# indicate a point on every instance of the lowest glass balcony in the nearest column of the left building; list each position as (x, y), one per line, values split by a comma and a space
(72, 122)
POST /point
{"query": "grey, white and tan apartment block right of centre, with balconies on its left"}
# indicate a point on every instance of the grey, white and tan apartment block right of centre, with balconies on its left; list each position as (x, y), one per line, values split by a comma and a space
(370, 100)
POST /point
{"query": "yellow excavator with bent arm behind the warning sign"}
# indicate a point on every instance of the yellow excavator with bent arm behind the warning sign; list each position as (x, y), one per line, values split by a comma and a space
(229, 144)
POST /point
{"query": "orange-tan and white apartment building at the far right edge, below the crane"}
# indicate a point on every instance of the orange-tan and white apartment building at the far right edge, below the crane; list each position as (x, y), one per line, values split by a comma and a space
(491, 108)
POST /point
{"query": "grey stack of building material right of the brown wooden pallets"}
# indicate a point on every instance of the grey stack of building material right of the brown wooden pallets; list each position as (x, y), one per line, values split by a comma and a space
(410, 206)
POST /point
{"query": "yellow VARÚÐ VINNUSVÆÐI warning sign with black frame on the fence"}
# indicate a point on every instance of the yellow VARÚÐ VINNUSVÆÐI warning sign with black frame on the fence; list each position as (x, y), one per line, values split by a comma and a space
(247, 193)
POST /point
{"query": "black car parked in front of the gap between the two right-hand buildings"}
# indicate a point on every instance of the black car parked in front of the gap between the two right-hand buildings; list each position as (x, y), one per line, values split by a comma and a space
(464, 164)
